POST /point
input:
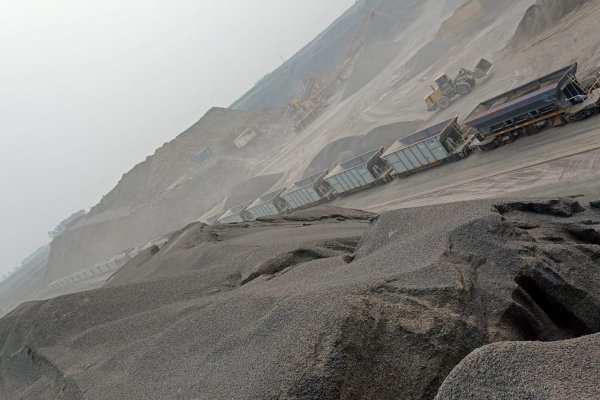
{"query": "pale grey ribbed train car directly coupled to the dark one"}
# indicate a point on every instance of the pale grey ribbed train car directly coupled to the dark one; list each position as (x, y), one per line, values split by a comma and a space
(427, 148)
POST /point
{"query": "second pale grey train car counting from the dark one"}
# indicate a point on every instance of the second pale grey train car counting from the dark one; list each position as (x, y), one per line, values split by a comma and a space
(359, 173)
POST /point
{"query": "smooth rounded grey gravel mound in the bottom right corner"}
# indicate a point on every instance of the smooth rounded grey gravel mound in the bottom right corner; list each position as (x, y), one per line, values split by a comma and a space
(565, 370)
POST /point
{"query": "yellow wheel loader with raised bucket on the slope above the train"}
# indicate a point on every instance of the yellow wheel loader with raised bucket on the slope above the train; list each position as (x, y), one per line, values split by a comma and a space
(446, 89)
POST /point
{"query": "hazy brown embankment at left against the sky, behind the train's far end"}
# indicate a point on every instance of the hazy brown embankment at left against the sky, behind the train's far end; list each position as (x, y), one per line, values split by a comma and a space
(168, 190)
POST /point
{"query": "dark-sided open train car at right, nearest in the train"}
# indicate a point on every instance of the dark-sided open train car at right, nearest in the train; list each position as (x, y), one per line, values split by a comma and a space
(552, 99)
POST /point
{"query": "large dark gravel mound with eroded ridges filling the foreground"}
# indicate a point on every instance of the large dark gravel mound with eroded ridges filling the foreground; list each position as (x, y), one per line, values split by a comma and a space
(334, 304)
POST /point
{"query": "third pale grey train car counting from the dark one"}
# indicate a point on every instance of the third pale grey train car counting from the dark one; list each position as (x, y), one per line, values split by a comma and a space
(307, 191)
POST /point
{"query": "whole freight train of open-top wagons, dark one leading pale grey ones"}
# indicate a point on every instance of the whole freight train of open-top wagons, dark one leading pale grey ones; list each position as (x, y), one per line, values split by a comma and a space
(554, 99)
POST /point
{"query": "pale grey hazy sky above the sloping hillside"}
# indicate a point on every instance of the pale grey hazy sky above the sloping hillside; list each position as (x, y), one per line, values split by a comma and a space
(89, 88)
